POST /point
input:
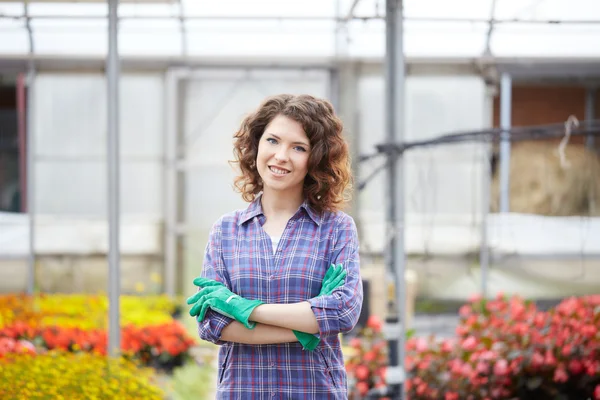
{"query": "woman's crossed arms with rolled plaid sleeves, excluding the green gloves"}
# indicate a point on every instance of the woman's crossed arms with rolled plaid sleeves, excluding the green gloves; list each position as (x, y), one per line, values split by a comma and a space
(324, 315)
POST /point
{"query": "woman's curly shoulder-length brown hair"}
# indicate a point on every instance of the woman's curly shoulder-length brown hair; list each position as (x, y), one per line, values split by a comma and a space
(329, 178)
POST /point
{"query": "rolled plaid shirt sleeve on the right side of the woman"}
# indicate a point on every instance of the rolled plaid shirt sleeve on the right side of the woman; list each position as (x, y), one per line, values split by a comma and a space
(339, 312)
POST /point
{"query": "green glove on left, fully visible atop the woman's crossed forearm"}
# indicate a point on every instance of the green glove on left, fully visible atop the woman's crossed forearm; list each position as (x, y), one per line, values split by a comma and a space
(221, 300)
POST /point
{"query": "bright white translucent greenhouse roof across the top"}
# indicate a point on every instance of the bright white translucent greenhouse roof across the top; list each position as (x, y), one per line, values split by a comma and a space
(304, 28)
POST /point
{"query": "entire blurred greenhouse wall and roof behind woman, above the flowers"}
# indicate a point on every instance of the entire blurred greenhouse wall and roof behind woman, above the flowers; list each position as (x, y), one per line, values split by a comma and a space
(191, 70)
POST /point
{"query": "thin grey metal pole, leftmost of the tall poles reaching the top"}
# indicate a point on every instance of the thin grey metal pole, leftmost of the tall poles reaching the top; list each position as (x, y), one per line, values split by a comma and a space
(30, 157)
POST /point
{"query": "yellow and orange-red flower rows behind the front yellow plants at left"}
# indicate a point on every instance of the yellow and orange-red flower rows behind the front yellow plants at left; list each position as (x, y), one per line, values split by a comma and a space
(77, 323)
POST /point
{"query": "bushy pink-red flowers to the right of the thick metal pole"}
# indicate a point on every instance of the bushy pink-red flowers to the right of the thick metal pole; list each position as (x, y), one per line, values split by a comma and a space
(508, 349)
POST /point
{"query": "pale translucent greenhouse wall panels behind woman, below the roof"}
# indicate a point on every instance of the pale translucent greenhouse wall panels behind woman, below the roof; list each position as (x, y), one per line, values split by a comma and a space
(443, 184)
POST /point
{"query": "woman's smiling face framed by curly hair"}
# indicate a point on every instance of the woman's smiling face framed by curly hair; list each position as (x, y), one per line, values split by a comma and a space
(283, 152)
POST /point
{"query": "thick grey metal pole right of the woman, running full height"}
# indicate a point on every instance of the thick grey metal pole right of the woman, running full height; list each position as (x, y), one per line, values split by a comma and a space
(395, 75)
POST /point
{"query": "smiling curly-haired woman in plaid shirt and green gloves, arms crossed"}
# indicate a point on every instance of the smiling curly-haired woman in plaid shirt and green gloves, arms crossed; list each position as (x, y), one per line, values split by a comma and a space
(285, 270)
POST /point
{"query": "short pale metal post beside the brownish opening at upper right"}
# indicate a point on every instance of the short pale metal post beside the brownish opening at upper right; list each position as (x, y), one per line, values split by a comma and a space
(505, 124)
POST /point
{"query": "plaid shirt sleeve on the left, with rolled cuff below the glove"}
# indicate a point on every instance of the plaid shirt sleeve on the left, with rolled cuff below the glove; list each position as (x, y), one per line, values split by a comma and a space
(211, 327)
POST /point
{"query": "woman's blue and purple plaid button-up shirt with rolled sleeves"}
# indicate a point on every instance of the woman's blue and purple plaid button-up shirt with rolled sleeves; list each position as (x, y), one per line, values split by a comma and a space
(239, 254)
